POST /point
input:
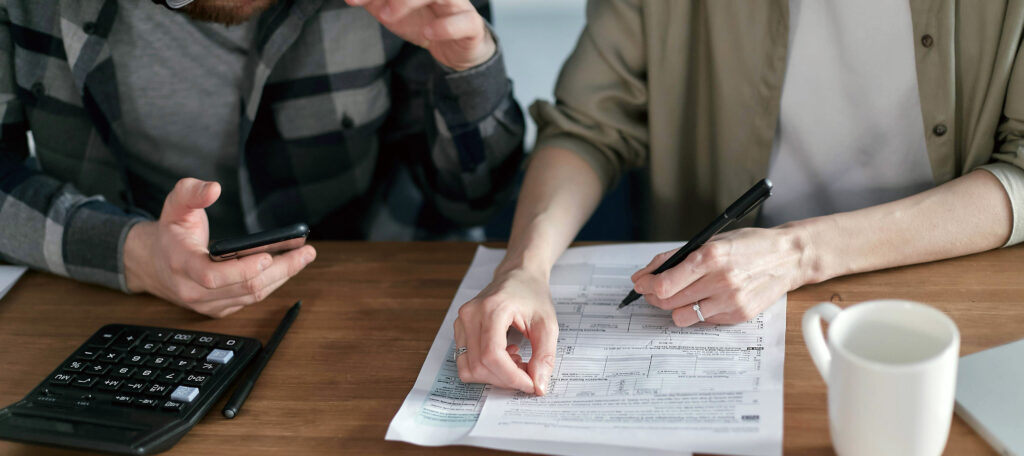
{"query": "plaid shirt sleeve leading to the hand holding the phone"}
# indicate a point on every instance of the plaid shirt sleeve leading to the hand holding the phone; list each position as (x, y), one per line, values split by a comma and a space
(46, 224)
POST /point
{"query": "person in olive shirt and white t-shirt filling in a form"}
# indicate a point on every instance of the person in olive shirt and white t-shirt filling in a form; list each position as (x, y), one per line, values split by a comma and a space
(829, 100)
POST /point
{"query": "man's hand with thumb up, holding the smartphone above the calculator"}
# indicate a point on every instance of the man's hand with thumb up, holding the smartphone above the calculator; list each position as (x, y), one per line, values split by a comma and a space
(169, 259)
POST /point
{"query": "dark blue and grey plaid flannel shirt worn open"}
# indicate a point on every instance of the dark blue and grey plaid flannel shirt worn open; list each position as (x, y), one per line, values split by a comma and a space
(340, 119)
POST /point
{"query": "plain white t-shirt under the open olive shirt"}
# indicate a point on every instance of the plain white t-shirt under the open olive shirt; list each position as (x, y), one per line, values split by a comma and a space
(850, 133)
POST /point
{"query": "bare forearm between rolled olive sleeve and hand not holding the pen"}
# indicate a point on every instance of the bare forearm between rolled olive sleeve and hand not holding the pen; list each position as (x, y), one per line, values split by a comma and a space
(560, 193)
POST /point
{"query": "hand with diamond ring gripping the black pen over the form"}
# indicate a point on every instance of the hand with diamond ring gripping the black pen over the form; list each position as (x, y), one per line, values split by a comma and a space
(736, 276)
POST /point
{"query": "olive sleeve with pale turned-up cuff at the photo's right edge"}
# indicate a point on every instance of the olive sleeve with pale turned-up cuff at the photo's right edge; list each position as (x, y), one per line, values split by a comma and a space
(1008, 160)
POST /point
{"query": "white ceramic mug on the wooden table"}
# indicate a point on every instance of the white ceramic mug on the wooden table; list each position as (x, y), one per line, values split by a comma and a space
(891, 371)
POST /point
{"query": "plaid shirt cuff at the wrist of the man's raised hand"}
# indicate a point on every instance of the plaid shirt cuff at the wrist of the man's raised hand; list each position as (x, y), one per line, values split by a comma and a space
(468, 97)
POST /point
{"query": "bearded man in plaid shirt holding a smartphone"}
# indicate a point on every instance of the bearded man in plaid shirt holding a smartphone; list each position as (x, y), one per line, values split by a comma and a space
(391, 119)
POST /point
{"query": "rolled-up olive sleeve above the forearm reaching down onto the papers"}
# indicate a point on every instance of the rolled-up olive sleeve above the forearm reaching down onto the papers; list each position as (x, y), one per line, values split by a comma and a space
(602, 99)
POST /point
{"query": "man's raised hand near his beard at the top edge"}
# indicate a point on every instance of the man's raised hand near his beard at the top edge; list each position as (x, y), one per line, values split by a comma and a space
(451, 30)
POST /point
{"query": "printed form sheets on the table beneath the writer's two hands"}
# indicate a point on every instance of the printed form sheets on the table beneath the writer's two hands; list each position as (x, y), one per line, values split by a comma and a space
(624, 382)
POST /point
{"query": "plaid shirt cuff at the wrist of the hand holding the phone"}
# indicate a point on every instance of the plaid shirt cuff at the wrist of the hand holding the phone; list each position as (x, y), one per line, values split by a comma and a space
(94, 244)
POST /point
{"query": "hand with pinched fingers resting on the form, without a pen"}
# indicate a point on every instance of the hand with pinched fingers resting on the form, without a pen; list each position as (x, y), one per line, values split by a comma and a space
(517, 299)
